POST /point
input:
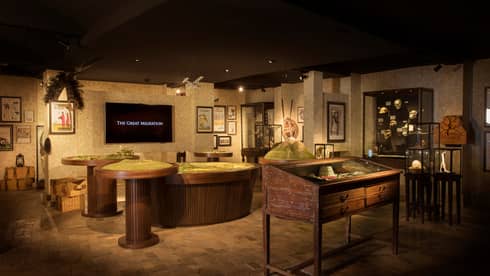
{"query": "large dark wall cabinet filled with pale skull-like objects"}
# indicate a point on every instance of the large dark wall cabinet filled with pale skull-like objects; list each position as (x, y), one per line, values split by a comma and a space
(388, 115)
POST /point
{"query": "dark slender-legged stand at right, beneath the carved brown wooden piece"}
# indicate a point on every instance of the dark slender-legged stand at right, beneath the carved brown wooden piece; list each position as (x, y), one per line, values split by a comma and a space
(450, 179)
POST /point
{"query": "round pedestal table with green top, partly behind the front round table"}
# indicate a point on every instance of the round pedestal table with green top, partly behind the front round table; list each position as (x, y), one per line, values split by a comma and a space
(101, 192)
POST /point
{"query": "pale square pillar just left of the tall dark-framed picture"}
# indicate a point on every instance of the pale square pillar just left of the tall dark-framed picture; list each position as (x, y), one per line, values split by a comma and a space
(313, 113)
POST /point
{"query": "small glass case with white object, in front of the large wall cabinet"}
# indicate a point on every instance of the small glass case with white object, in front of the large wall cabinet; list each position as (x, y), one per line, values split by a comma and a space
(422, 139)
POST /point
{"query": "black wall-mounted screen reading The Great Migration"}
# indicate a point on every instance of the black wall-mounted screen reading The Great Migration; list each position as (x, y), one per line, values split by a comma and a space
(138, 123)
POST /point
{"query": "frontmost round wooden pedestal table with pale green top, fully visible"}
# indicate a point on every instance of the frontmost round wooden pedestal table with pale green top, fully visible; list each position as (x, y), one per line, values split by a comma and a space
(137, 174)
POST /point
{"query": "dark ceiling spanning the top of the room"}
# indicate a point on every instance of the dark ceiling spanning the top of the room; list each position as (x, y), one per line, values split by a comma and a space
(261, 43)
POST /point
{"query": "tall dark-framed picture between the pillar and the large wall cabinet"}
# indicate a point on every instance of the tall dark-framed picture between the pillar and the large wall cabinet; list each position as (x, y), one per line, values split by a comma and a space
(335, 122)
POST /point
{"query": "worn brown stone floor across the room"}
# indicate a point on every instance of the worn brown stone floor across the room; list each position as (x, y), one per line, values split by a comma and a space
(36, 240)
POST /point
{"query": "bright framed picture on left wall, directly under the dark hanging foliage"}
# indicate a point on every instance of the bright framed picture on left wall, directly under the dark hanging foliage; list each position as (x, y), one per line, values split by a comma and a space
(61, 117)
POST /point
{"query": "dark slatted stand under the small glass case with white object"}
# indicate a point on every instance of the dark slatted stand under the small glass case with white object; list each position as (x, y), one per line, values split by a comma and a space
(417, 185)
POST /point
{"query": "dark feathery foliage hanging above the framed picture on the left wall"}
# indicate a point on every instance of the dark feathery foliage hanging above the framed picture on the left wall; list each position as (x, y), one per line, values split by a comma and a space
(73, 89)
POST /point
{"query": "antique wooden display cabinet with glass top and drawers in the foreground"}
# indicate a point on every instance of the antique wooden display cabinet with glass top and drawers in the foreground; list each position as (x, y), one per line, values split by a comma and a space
(319, 191)
